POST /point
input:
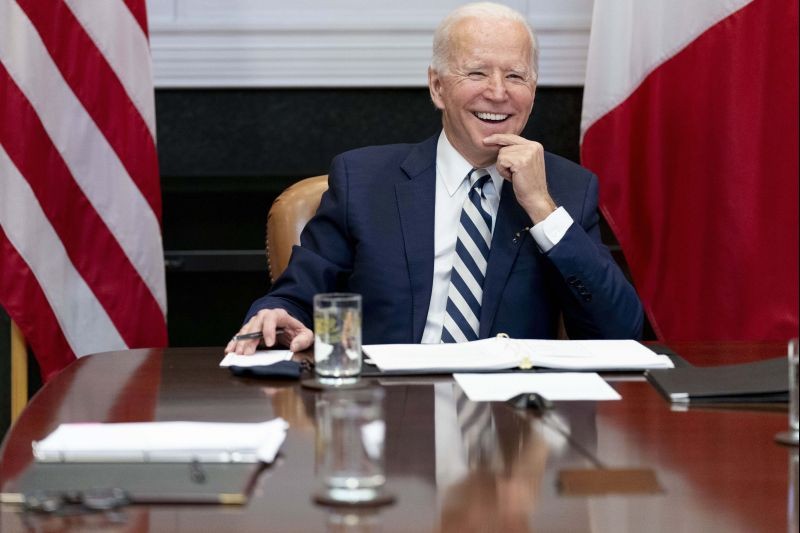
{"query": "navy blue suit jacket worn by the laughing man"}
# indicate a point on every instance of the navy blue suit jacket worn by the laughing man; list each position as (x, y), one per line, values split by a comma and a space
(374, 235)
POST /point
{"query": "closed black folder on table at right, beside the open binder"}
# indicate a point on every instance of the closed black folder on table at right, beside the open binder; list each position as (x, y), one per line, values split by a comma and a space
(764, 381)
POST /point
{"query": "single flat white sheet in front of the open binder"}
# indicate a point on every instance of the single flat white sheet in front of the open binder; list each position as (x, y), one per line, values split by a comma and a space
(555, 386)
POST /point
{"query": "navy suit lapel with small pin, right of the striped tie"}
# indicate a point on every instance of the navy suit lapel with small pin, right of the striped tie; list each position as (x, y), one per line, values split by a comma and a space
(511, 219)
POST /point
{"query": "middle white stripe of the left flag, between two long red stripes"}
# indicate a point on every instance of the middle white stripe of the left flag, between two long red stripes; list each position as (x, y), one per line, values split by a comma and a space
(85, 150)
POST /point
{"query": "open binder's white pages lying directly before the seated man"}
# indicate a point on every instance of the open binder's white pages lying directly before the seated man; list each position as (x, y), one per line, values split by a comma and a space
(502, 353)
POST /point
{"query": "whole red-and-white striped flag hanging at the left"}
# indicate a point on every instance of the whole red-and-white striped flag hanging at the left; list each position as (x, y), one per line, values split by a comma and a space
(81, 257)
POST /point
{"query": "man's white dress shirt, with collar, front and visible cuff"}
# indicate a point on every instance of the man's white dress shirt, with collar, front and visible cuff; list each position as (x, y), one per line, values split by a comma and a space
(452, 188)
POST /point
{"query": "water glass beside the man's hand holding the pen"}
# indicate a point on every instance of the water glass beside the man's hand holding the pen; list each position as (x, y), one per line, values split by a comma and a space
(337, 337)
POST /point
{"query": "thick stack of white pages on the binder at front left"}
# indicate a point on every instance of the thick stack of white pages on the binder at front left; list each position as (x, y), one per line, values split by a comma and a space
(164, 442)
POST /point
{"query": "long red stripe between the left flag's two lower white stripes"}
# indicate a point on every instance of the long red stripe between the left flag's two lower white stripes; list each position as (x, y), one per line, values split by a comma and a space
(93, 250)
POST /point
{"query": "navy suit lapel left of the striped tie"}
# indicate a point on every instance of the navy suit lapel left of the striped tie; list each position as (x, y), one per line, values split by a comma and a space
(416, 201)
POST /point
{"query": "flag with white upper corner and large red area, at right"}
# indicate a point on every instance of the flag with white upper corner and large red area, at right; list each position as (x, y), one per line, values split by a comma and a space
(690, 120)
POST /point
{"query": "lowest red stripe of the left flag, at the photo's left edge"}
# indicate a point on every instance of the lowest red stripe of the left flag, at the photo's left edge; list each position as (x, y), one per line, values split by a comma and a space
(27, 305)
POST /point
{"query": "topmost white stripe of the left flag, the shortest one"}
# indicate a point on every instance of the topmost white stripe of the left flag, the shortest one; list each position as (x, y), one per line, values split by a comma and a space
(118, 36)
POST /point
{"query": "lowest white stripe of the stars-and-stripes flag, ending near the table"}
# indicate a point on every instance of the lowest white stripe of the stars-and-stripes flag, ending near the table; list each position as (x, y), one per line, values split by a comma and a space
(83, 320)
